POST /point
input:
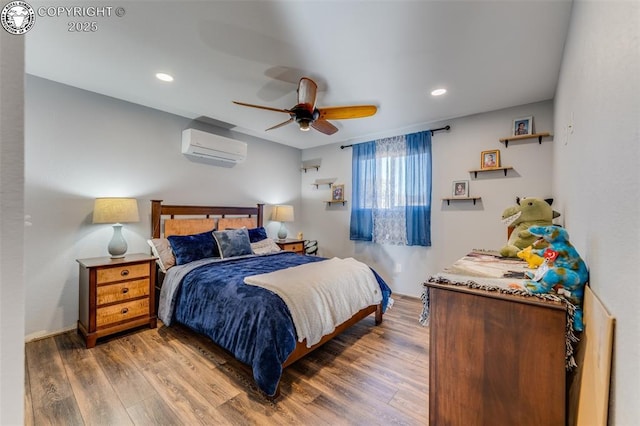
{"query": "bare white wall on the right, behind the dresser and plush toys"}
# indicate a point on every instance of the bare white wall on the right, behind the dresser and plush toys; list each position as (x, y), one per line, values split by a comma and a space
(597, 172)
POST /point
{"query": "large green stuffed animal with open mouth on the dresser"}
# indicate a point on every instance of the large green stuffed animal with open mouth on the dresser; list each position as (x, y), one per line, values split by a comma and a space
(528, 212)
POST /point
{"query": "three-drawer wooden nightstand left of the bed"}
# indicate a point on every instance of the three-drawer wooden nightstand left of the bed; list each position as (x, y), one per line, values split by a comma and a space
(116, 295)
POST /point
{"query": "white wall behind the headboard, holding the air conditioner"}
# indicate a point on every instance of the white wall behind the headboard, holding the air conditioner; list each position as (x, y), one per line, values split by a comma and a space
(81, 145)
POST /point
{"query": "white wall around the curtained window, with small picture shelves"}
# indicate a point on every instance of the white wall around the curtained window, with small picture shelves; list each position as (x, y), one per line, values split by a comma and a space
(456, 228)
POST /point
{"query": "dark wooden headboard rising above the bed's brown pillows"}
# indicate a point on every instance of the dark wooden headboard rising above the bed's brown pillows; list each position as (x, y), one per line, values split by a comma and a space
(159, 210)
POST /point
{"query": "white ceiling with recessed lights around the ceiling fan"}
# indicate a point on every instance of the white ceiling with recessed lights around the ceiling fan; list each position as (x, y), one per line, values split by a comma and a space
(488, 55)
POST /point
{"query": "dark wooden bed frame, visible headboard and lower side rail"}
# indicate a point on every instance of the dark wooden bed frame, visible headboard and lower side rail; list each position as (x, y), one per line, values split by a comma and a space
(159, 210)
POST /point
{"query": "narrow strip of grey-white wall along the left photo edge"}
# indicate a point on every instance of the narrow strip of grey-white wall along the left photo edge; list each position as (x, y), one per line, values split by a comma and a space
(11, 229)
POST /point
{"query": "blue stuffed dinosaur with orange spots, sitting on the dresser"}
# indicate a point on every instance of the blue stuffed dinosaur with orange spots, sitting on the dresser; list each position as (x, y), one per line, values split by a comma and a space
(563, 271)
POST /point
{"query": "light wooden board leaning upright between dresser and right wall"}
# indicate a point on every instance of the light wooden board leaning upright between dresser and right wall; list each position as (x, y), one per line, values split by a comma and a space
(589, 390)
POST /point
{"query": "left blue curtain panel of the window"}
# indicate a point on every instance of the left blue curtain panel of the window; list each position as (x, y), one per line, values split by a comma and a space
(363, 192)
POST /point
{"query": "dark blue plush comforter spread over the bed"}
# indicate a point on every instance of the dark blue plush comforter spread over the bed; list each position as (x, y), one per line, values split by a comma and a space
(251, 322)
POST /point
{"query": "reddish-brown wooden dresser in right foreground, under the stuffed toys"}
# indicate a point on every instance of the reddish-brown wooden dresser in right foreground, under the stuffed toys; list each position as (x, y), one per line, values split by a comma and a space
(495, 359)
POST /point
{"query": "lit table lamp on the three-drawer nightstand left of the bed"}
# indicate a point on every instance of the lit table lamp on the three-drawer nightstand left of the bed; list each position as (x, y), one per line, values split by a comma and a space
(116, 210)
